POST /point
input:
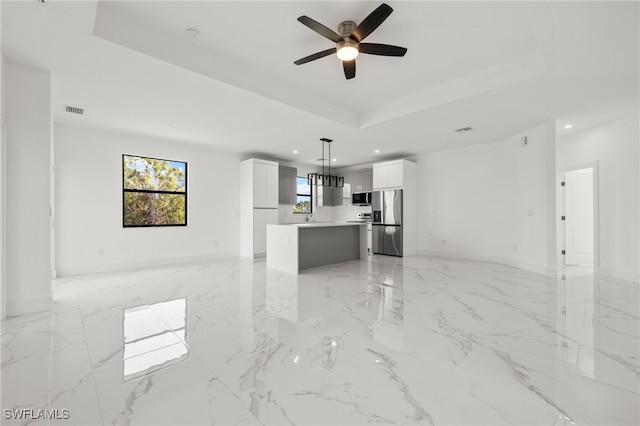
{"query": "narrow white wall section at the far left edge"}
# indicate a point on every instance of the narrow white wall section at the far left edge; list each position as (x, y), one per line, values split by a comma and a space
(27, 101)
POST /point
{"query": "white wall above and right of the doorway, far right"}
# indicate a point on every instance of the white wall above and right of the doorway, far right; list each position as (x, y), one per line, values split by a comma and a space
(615, 147)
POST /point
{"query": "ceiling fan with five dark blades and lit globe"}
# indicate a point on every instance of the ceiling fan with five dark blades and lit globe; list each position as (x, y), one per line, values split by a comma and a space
(349, 40)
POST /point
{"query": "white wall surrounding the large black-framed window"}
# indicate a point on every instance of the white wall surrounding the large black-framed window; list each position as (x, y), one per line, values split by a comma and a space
(89, 203)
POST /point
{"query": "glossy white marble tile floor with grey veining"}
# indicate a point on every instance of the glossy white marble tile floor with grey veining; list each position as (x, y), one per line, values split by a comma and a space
(403, 341)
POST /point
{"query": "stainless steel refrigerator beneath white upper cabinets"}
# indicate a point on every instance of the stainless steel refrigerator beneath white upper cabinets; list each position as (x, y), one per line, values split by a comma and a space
(387, 222)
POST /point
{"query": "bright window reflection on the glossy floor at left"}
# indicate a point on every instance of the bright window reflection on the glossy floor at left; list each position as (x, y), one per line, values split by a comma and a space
(154, 337)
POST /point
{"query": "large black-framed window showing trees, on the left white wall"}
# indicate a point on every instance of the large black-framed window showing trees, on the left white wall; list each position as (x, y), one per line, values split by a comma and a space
(154, 192)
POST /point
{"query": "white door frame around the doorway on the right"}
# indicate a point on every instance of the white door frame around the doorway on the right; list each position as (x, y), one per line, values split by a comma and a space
(560, 202)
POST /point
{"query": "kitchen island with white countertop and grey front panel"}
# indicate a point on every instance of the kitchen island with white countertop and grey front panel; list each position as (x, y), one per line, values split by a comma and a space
(297, 246)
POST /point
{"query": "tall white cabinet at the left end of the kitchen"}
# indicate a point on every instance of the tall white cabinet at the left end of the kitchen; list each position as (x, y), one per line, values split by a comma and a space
(259, 189)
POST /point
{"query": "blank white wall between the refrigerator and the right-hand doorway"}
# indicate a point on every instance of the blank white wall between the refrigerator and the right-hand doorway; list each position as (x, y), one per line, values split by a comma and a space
(494, 201)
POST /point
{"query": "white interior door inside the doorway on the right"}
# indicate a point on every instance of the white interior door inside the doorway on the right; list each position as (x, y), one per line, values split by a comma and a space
(579, 217)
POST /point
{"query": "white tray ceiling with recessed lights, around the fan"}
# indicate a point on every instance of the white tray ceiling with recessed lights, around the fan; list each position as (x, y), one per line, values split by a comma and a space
(498, 67)
